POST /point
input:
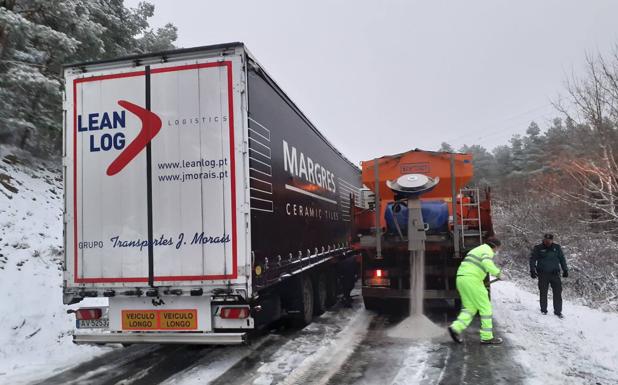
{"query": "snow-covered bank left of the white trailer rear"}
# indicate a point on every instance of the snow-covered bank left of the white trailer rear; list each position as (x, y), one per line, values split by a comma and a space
(35, 337)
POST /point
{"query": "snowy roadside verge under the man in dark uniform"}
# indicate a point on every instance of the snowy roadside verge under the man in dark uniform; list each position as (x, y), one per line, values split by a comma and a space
(582, 348)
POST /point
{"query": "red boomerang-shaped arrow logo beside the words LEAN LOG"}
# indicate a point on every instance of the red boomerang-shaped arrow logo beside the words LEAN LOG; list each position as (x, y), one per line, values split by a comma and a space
(151, 125)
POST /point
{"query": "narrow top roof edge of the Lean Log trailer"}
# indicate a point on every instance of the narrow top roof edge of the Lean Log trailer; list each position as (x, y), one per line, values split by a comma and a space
(215, 49)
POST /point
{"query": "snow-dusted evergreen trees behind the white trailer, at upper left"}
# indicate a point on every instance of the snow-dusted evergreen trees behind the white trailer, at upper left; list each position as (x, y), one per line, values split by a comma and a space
(38, 36)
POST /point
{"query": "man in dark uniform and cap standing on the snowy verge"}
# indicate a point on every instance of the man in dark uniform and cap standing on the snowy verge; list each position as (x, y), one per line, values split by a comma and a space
(546, 260)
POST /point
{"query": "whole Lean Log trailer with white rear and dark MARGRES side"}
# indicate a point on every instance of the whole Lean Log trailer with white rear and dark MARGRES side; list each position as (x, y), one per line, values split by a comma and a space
(199, 199)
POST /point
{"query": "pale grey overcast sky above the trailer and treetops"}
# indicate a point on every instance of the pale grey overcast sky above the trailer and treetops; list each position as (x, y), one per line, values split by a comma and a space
(380, 77)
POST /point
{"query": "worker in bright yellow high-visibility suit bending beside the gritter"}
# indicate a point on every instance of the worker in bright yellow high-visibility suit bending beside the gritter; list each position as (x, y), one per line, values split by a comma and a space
(474, 296)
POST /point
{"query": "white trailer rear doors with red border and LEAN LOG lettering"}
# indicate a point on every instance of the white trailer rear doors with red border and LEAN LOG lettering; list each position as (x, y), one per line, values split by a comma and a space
(155, 174)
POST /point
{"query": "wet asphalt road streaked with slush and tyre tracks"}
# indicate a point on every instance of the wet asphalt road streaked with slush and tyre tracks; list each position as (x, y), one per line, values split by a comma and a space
(343, 346)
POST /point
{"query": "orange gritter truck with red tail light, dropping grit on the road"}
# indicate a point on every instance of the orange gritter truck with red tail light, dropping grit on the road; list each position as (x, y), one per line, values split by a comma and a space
(456, 219)
